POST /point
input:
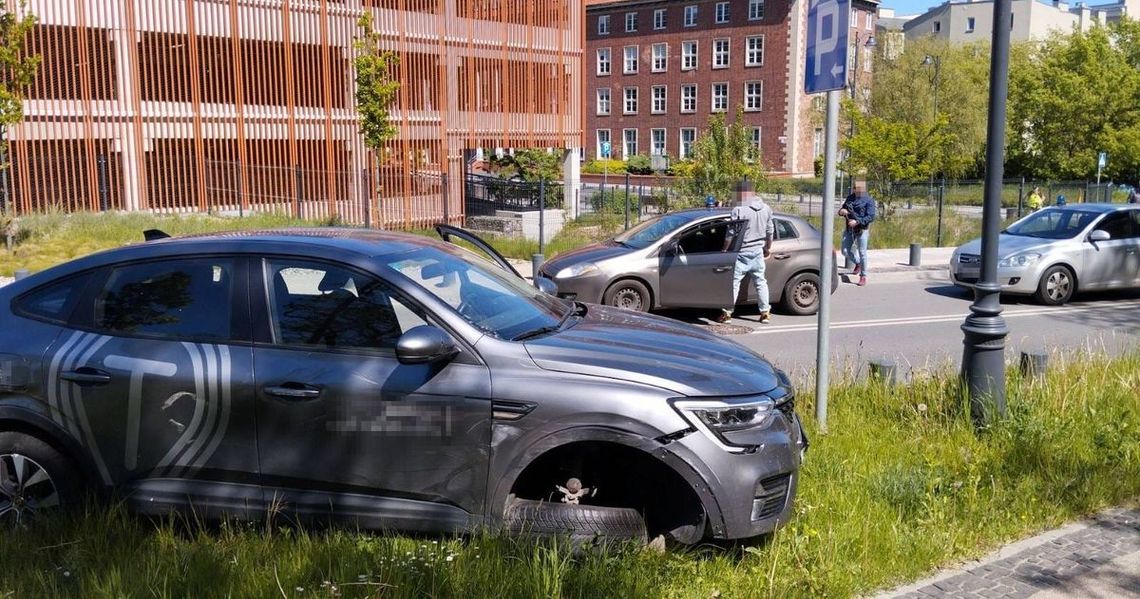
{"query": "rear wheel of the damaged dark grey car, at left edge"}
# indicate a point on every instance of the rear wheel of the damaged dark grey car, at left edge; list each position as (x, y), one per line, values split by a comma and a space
(36, 480)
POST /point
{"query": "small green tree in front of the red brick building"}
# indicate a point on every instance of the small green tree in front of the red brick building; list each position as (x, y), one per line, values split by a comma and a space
(721, 157)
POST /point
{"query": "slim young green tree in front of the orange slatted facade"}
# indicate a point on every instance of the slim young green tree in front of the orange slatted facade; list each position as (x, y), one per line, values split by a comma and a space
(376, 85)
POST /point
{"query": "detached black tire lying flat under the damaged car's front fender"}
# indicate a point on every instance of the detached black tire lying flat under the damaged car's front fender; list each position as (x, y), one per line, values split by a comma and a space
(580, 523)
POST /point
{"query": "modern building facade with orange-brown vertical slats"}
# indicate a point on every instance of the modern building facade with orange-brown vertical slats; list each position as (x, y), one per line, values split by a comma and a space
(234, 106)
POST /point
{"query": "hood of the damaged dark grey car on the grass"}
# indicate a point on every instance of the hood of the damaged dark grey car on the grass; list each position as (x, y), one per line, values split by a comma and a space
(683, 359)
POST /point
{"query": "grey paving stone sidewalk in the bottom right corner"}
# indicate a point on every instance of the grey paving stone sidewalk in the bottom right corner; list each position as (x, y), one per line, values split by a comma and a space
(1097, 558)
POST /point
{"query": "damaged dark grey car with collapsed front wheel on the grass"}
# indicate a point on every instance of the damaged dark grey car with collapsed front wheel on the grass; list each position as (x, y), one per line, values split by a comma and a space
(382, 379)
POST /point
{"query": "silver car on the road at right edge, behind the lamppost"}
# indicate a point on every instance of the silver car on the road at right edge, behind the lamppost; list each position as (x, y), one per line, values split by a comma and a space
(1057, 252)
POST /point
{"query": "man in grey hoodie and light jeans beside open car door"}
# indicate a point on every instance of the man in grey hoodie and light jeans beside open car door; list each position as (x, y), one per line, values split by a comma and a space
(756, 246)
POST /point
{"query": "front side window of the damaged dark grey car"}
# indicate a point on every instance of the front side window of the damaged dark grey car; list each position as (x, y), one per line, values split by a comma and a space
(316, 304)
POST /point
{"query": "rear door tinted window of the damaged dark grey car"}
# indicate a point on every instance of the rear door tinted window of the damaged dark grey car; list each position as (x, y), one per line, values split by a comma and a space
(180, 299)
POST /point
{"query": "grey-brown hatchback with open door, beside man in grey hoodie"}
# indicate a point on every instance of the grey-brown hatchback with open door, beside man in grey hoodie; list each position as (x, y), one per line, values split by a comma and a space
(677, 261)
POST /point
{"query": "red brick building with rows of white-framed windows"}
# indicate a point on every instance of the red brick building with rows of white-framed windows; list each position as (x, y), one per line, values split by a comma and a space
(656, 70)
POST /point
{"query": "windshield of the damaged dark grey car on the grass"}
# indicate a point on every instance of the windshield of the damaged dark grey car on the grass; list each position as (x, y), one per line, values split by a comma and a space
(488, 297)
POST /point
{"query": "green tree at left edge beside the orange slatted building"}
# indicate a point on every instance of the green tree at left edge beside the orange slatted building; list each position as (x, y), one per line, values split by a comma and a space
(18, 70)
